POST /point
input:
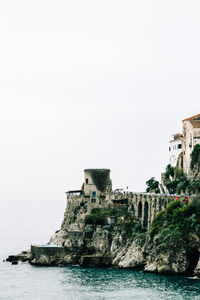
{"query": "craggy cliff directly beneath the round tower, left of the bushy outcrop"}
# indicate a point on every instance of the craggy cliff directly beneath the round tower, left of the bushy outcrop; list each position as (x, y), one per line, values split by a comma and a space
(101, 237)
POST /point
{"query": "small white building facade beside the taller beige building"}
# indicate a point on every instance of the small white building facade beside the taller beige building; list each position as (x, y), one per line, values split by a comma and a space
(175, 148)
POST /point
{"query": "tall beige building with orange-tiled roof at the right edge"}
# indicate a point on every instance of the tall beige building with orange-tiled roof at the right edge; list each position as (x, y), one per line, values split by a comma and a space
(191, 137)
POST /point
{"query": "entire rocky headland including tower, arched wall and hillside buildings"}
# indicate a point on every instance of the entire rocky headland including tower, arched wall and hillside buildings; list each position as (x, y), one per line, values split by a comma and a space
(157, 231)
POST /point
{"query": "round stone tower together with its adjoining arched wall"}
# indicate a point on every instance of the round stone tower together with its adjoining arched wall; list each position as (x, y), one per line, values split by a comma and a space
(97, 191)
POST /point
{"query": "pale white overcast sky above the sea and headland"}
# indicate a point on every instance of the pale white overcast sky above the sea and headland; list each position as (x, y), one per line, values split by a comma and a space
(93, 84)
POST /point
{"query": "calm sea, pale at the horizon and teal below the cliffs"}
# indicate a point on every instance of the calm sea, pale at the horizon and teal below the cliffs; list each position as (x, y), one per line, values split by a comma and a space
(23, 223)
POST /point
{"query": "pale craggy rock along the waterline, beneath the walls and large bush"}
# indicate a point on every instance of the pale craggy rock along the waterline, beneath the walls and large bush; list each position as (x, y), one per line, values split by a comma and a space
(122, 244)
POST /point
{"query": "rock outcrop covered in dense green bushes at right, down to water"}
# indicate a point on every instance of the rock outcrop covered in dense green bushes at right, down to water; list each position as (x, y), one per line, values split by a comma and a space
(174, 238)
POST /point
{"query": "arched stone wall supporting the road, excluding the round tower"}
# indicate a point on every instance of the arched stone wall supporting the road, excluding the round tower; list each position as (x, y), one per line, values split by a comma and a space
(143, 206)
